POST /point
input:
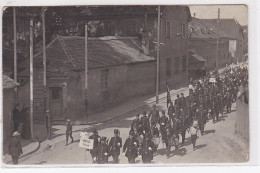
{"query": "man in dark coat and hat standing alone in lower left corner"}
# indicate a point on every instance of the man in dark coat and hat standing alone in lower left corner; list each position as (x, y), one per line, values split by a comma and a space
(15, 148)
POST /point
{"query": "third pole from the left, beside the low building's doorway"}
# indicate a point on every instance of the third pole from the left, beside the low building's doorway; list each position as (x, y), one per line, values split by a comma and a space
(44, 62)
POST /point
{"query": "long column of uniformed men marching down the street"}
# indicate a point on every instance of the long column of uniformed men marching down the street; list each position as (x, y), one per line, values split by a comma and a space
(207, 99)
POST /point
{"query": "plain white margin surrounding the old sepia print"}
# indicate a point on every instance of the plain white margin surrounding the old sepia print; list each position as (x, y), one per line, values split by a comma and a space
(253, 16)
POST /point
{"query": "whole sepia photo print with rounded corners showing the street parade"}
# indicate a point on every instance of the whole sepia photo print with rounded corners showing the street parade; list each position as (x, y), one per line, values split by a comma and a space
(142, 84)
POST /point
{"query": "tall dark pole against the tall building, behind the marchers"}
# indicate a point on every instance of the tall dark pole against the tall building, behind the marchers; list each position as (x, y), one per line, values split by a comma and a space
(158, 56)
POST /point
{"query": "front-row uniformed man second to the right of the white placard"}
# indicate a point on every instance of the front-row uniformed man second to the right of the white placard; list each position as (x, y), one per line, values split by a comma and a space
(103, 151)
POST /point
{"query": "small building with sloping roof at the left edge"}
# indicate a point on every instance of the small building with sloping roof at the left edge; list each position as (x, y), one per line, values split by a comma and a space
(8, 106)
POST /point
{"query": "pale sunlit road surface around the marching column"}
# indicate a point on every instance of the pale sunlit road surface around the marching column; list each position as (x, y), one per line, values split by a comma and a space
(220, 144)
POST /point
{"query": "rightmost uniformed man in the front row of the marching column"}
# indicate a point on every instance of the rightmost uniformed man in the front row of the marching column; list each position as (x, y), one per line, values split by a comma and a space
(147, 149)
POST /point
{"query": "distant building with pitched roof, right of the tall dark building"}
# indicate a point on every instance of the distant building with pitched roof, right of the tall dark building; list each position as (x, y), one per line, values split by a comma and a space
(210, 43)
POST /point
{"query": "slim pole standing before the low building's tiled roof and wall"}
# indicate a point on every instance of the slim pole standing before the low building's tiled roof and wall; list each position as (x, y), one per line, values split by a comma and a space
(86, 71)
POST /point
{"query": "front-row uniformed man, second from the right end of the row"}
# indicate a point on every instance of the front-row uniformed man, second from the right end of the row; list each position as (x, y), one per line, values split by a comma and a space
(130, 148)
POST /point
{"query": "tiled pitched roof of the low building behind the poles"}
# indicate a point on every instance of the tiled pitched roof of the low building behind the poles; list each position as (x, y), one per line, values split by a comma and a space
(66, 54)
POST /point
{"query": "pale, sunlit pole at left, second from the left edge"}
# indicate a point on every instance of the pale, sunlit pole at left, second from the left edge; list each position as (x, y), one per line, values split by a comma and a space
(31, 76)
